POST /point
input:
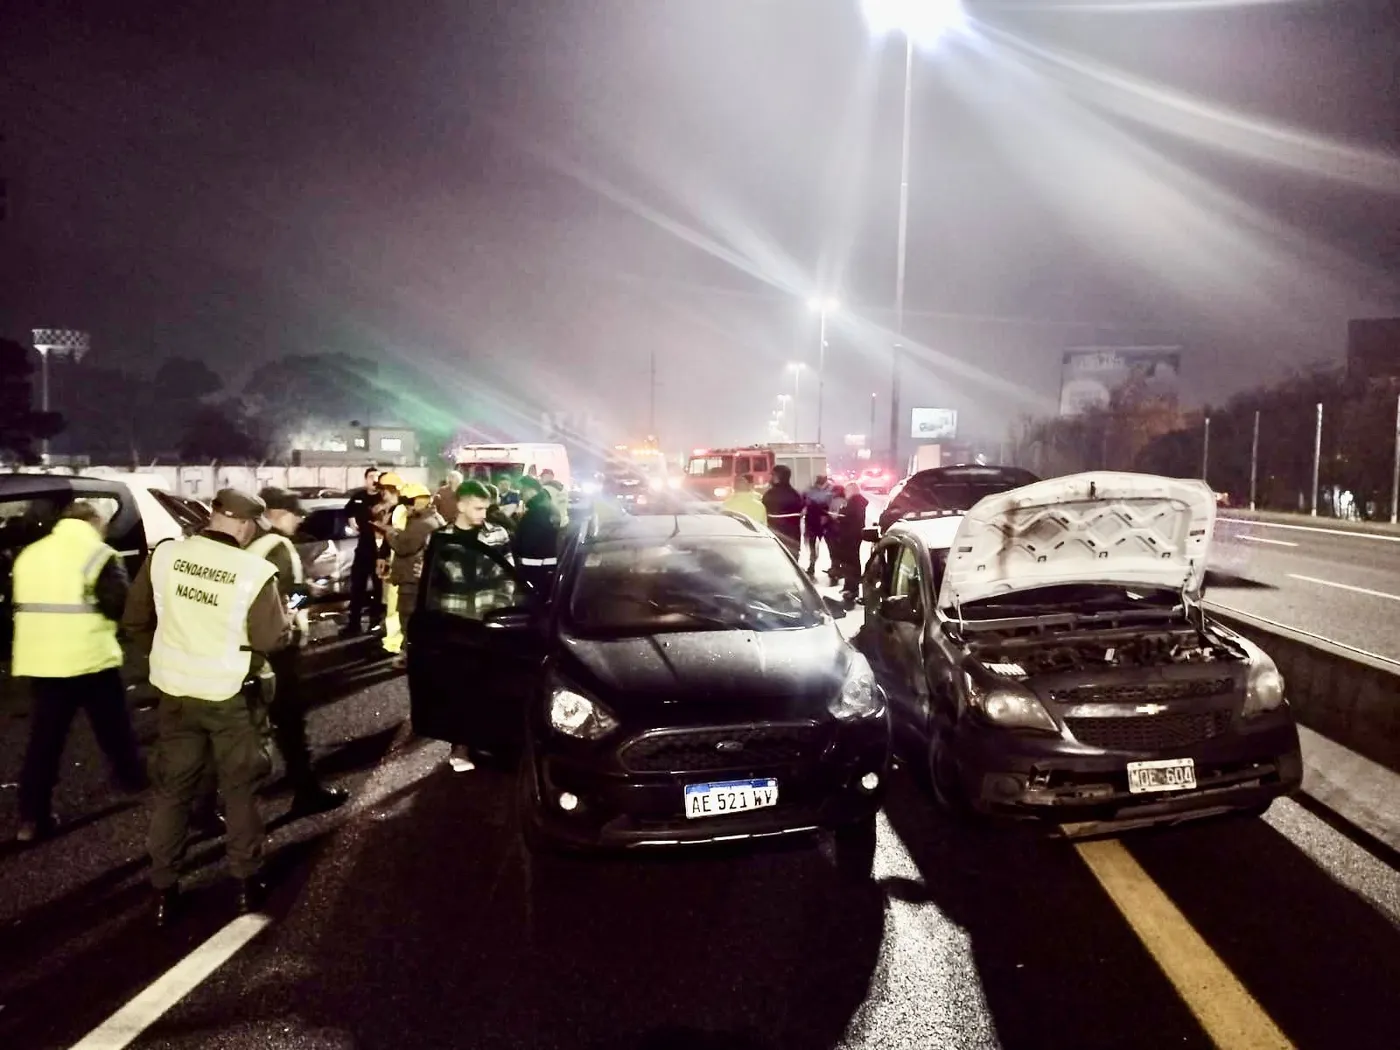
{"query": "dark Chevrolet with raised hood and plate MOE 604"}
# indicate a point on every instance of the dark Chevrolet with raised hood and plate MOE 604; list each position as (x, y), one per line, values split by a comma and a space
(1048, 657)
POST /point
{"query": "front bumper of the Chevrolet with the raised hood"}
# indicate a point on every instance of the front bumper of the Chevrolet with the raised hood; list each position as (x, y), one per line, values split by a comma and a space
(1066, 783)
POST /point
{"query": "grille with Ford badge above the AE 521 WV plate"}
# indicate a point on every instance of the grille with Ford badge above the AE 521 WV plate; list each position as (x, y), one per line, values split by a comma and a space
(713, 748)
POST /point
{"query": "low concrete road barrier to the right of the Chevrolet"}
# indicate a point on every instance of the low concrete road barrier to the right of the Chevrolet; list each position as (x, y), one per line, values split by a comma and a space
(1345, 694)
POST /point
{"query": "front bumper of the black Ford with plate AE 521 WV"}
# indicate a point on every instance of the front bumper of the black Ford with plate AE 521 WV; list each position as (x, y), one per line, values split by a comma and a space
(619, 810)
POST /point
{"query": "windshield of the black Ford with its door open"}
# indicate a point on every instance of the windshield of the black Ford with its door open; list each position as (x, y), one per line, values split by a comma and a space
(743, 583)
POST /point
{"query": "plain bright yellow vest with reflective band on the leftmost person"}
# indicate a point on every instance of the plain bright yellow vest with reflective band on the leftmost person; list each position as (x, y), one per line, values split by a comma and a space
(58, 628)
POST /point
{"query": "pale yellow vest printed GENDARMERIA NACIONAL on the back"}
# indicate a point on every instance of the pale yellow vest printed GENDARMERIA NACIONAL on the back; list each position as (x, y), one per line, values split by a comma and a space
(204, 591)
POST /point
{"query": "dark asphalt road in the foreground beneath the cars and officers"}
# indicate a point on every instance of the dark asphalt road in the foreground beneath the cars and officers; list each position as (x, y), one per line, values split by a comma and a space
(415, 919)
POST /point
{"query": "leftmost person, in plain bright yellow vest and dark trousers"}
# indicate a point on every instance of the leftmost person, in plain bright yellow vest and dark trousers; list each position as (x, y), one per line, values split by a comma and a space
(69, 593)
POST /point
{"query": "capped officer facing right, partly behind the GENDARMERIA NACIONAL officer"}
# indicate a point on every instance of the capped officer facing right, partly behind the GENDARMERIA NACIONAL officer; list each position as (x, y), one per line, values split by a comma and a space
(286, 706)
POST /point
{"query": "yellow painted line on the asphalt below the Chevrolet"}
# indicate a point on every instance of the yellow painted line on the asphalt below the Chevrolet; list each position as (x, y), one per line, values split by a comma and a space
(1220, 1003)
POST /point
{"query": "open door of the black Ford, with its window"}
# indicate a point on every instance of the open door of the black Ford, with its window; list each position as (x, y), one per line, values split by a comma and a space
(475, 645)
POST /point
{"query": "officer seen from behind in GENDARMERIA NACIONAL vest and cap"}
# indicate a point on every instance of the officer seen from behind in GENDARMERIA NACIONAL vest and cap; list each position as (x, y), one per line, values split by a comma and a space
(209, 612)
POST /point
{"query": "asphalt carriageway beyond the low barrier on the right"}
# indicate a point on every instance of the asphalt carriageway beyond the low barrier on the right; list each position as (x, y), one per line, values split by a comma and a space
(1343, 586)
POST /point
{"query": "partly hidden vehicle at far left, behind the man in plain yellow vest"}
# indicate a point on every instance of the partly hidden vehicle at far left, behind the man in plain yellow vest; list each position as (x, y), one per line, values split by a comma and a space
(139, 519)
